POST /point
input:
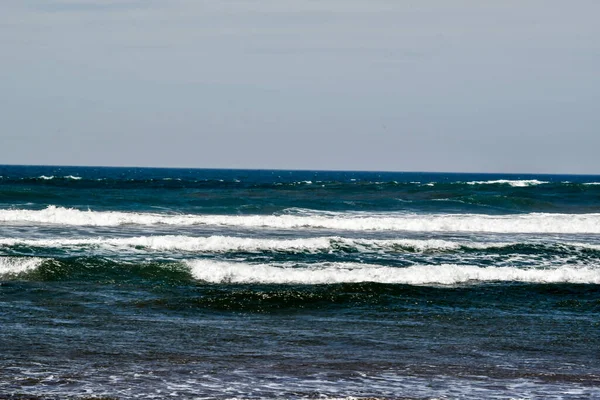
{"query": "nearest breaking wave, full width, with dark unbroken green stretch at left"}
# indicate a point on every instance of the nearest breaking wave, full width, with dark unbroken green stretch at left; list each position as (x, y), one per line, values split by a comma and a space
(237, 272)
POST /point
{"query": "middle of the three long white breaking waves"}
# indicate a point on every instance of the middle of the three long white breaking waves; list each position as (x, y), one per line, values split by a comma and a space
(221, 244)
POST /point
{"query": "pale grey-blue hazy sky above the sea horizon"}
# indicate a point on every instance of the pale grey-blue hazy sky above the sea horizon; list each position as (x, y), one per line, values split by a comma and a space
(392, 85)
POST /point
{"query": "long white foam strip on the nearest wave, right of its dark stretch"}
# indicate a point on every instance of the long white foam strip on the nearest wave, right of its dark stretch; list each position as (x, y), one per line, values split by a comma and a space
(327, 273)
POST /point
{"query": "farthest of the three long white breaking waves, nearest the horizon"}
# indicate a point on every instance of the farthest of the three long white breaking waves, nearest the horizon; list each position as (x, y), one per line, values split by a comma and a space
(520, 223)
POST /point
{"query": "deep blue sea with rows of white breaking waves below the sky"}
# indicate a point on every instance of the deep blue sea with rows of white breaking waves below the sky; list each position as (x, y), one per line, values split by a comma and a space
(186, 283)
